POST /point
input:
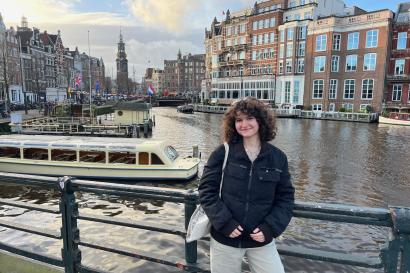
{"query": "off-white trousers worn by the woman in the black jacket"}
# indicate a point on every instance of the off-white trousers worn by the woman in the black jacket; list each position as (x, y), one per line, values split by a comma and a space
(227, 259)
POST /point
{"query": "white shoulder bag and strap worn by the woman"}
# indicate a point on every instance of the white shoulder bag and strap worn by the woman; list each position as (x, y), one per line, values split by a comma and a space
(199, 224)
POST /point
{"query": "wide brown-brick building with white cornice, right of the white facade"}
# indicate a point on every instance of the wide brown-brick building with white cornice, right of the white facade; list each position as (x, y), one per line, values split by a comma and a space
(347, 62)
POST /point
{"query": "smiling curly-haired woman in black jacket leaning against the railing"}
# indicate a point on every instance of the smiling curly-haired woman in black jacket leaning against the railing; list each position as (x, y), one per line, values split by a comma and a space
(257, 196)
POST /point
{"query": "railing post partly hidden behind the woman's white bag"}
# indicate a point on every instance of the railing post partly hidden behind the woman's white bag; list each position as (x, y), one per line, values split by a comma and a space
(191, 254)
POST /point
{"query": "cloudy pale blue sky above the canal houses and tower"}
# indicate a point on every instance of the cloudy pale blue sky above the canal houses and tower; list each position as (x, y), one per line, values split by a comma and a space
(153, 30)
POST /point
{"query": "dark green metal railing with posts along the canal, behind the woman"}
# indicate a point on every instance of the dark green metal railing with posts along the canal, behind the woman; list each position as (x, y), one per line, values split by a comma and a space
(394, 256)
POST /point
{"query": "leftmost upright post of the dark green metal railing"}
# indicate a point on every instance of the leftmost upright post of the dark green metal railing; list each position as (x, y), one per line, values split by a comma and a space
(71, 234)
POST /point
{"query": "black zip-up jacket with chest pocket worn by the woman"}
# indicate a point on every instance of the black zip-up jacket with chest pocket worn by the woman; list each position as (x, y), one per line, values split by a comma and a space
(258, 194)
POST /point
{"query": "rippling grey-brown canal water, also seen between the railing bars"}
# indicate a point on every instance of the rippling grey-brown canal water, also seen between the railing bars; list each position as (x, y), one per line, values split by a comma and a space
(330, 161)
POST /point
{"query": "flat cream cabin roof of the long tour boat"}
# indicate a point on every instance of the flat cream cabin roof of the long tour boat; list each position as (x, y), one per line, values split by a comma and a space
(86, 143)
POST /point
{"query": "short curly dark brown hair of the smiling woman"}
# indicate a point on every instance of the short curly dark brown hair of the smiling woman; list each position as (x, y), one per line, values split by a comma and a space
(251, 107)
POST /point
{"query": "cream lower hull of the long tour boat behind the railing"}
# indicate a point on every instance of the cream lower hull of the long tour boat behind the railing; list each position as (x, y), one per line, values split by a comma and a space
(102, 172)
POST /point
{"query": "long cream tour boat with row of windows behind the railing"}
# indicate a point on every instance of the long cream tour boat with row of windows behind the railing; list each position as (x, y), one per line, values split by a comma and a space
(98, 158)
